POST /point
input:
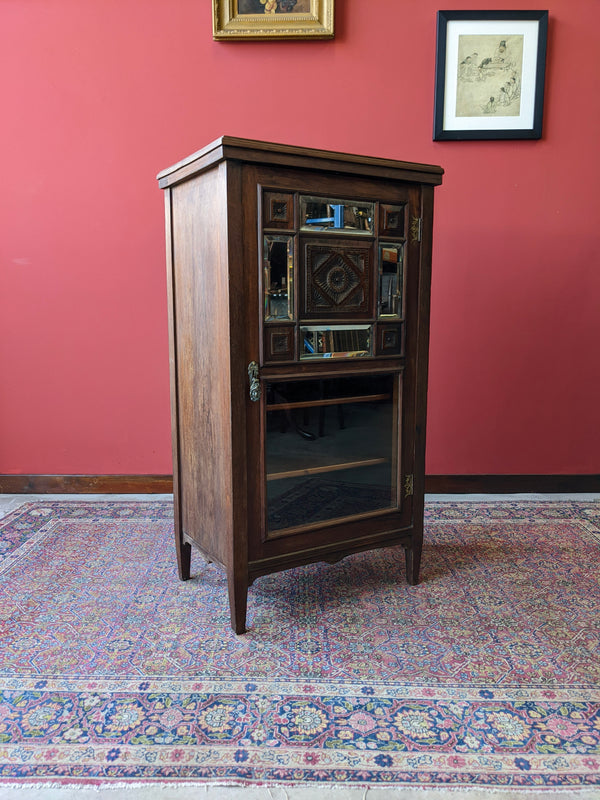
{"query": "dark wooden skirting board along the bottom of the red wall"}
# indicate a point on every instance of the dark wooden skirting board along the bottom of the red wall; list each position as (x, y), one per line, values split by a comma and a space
(163, 484)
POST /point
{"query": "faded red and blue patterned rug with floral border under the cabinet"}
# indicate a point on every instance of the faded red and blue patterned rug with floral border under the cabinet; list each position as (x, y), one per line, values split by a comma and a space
(485, 675)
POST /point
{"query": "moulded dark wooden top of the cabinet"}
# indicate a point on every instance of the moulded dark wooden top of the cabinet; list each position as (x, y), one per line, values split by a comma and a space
(269, 153)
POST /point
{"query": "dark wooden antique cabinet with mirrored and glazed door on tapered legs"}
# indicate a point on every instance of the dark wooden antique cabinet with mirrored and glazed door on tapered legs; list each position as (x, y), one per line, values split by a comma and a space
(299, 322)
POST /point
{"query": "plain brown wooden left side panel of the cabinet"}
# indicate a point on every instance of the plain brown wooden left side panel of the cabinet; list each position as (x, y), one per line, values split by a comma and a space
(203, 375)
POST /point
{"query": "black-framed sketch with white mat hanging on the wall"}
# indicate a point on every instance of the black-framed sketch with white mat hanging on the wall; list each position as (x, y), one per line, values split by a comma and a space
(490, 68)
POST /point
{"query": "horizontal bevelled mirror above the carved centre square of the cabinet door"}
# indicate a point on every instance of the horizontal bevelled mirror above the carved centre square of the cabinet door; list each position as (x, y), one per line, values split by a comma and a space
(326, 214)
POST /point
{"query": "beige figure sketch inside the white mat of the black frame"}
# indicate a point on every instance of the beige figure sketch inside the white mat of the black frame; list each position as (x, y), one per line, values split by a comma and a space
(488, 82)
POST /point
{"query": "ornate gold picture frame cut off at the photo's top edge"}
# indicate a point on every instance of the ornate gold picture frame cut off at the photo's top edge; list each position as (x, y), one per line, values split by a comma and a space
(272, 19)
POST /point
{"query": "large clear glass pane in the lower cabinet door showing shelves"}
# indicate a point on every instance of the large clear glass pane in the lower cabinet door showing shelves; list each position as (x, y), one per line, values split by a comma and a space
(331, 449)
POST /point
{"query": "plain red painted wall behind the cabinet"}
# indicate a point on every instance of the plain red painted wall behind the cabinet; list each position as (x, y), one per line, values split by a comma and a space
(98, 96)
